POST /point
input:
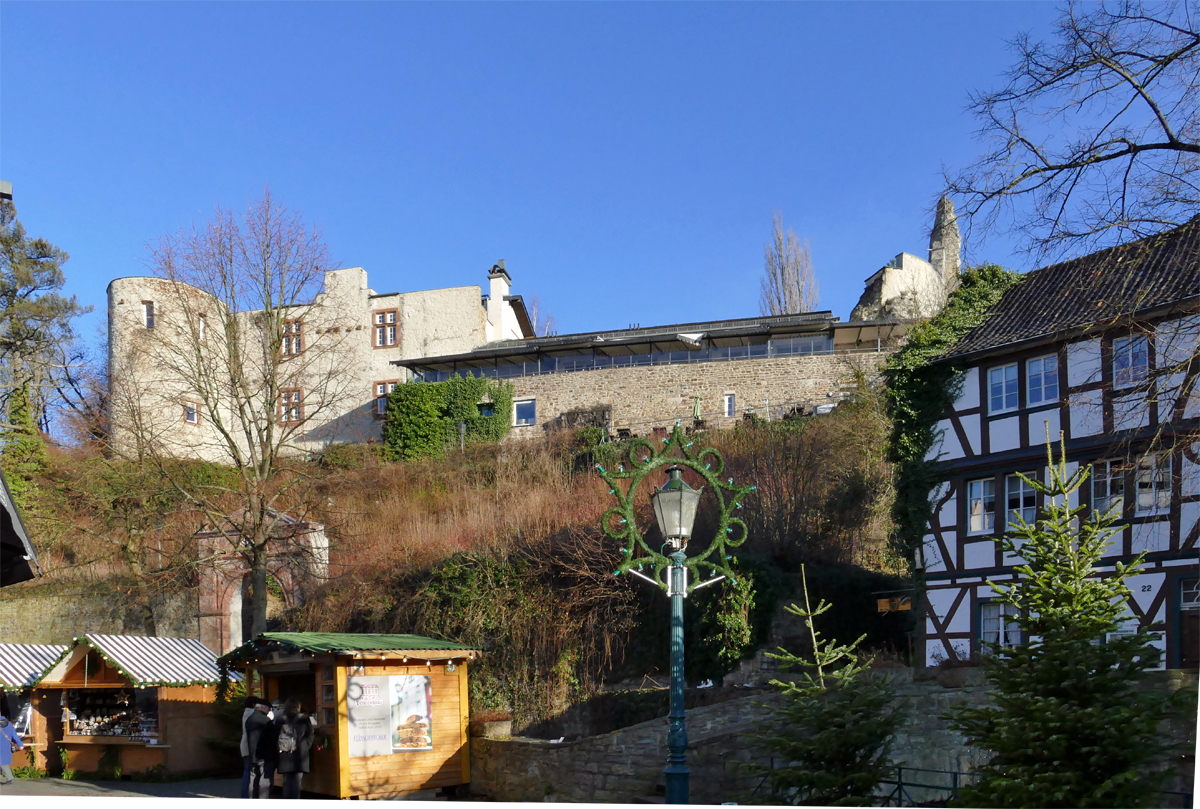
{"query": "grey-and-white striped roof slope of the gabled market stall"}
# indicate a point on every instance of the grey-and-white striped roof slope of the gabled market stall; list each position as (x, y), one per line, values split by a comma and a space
(159, 661)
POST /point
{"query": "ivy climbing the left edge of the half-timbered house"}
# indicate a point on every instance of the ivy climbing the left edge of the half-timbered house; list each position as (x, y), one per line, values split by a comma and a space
(920, 394)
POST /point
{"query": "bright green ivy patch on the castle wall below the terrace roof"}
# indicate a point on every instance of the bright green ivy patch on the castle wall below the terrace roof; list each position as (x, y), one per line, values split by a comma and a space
(423, 418)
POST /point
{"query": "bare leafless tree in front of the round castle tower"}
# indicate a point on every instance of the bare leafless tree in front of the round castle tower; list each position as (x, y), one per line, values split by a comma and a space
(247, 365)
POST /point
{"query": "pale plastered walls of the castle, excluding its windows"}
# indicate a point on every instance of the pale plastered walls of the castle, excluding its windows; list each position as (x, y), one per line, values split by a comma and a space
(154, 370)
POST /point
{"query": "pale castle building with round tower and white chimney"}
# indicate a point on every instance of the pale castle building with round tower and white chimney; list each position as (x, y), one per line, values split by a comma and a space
(173, 364)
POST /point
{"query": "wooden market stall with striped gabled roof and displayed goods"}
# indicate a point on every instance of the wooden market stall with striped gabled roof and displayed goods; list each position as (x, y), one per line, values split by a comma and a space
(133, 703)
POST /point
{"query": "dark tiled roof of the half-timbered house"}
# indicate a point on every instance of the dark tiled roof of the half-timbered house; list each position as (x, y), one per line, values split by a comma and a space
(1091, 291)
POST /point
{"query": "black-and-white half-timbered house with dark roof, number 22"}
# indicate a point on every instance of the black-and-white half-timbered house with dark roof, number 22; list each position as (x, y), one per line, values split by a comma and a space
(1102, 353)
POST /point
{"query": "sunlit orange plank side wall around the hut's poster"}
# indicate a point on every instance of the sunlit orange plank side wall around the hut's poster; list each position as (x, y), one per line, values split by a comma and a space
(404, 774)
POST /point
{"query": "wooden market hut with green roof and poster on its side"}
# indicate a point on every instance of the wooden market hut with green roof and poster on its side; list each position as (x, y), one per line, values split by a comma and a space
(392, 710)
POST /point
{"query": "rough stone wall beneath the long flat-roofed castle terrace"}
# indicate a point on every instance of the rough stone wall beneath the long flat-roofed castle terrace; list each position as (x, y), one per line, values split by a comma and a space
(644, 398)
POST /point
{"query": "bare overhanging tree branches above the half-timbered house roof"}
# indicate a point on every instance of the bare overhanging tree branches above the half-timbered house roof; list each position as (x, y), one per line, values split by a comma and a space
(1096, 139)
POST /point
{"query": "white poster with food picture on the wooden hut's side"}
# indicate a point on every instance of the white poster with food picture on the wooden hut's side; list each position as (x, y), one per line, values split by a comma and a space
(389, 715)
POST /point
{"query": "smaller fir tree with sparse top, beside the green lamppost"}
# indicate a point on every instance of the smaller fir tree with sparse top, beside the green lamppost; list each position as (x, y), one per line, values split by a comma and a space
(838, 724)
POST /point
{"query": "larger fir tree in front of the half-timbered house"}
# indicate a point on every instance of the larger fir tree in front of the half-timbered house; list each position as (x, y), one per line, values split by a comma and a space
(1072, 723)
